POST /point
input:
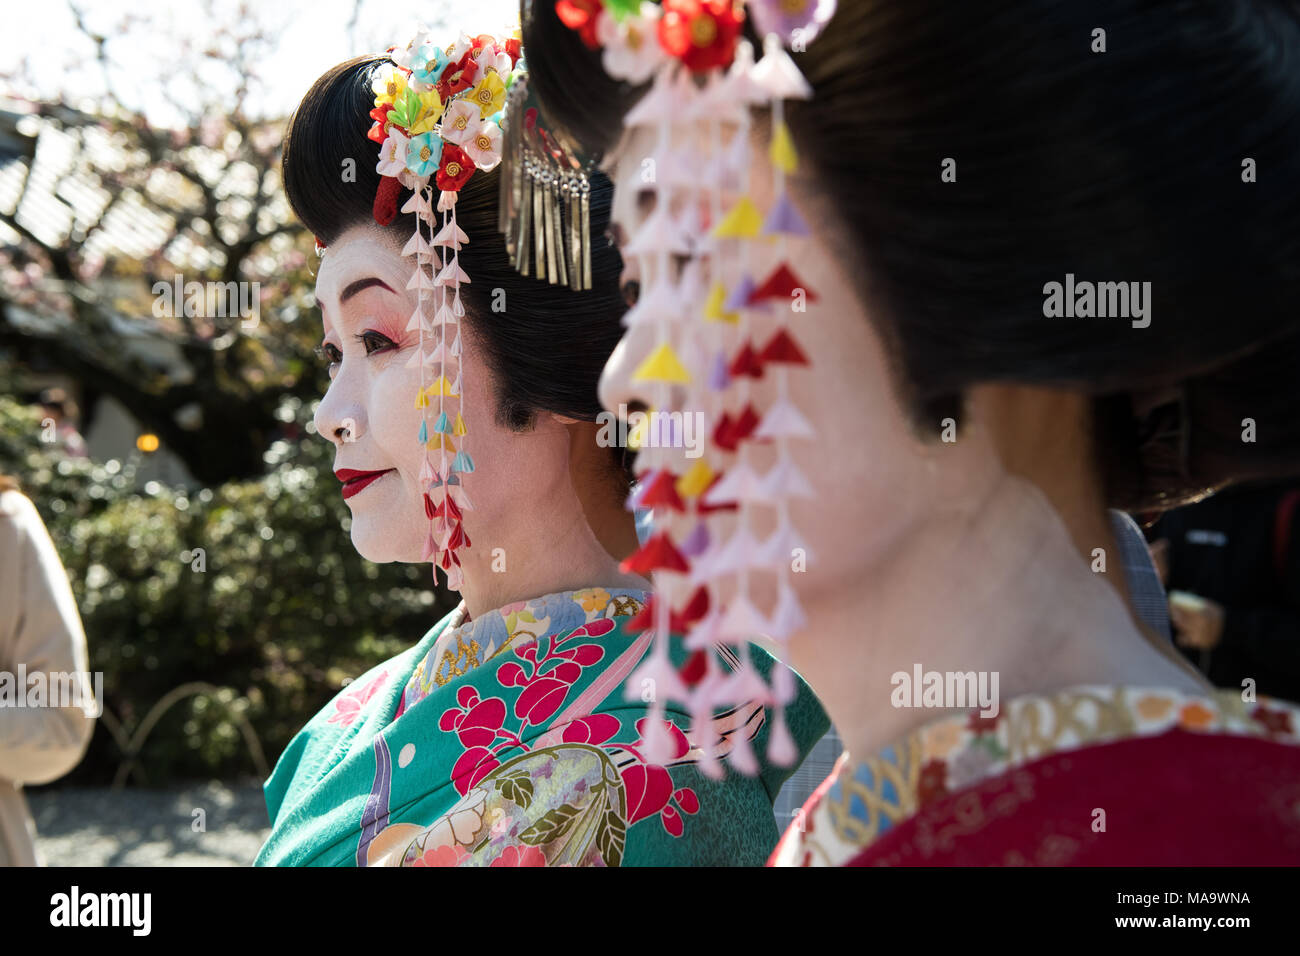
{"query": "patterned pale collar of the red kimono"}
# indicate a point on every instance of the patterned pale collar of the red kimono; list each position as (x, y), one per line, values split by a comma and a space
(864, 799)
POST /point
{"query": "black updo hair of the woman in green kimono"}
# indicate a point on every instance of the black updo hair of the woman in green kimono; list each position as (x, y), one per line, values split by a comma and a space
(547, 351)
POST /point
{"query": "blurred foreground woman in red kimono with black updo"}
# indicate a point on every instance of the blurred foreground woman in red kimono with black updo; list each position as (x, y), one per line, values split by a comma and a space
(967, 188)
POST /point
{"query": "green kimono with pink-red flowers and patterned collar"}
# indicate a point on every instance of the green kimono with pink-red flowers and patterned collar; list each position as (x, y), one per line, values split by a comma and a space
(514, 741)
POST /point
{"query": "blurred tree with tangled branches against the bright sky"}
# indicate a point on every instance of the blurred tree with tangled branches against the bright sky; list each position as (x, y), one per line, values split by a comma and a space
(210, 191)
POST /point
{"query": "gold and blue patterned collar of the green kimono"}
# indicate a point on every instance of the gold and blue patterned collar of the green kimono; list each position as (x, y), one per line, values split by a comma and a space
(466, 644)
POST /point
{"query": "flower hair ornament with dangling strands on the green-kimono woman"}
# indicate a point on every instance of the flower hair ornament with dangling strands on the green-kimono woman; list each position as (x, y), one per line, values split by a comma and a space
(439, 114)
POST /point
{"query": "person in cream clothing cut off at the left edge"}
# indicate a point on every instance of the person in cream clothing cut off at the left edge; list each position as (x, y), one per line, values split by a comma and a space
(41, 631)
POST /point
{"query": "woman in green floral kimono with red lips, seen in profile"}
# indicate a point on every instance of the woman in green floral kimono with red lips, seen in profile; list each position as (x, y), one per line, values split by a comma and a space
(512, 734)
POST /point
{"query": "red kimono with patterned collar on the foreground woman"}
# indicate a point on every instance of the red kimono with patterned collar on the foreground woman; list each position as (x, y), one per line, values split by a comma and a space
(1086, 777)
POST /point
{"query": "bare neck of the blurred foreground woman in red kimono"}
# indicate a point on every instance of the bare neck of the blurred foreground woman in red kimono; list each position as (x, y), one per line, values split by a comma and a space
(990, 583)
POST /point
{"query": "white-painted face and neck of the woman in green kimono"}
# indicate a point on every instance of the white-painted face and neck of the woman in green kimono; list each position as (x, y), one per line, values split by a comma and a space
(528, 524)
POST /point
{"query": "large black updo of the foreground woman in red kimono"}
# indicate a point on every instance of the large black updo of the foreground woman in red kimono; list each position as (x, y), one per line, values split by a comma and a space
(1119, 166)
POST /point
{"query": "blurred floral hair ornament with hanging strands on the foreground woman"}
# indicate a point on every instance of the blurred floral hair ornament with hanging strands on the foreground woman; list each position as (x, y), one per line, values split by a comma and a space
(705, 83)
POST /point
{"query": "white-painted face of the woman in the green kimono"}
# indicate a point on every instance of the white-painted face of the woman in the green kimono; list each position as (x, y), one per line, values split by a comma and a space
(370, 410)
